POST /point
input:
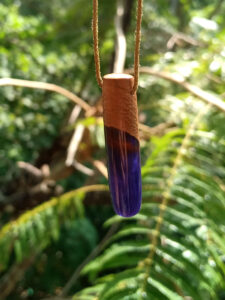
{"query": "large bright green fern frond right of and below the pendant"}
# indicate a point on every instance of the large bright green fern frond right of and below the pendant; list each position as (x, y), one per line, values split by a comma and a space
(161, 249)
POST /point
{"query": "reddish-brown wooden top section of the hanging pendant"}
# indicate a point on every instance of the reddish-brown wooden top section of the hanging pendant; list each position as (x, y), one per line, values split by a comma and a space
(119, 105)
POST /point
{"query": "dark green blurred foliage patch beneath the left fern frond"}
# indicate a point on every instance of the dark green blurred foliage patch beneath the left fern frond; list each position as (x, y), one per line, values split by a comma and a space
(54, 266)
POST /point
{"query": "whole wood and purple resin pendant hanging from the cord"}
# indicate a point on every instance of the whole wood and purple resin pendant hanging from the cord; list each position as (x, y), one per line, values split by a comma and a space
(122, 143)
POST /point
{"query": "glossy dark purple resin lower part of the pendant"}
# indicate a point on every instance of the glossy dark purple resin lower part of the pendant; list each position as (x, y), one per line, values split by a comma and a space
(124, 168)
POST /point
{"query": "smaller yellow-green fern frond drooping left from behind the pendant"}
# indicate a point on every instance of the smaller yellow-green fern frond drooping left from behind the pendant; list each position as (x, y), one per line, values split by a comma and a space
(37, 227)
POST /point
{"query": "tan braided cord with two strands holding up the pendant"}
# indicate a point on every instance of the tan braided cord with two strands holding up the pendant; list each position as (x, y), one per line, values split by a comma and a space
(137, 44)
